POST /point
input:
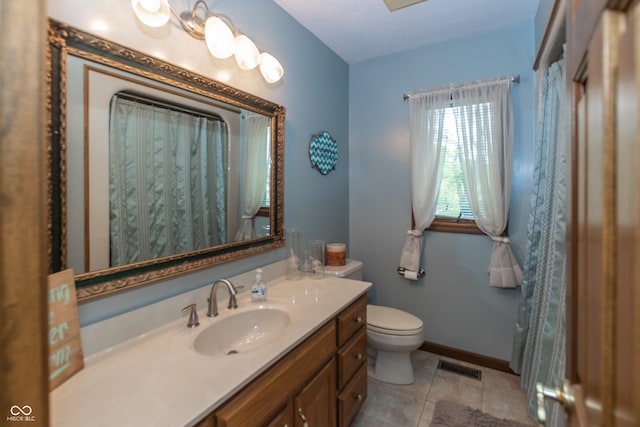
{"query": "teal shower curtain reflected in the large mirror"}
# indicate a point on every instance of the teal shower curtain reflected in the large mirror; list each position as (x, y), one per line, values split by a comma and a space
(166, 165)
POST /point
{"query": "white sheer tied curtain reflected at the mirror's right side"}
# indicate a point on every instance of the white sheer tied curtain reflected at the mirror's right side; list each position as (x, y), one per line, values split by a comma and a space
(255, 176)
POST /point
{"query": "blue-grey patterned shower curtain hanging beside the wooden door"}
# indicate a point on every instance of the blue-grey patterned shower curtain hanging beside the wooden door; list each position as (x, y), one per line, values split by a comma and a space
(539, 341)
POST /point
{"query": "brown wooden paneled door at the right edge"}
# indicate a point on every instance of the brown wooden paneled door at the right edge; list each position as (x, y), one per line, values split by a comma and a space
(603, 358)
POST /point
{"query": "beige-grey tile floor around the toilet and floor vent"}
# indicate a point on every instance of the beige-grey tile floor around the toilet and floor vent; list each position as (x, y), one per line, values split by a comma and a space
(387, 405)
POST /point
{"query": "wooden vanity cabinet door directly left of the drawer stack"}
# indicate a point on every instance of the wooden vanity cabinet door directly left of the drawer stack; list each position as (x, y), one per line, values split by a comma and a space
(315, 405)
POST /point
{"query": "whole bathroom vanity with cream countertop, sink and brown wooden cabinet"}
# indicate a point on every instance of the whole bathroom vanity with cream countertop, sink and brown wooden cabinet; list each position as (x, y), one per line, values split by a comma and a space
(310, 367)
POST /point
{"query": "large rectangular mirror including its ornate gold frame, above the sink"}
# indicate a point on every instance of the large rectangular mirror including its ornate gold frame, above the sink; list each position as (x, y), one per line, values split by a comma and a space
(148, 167)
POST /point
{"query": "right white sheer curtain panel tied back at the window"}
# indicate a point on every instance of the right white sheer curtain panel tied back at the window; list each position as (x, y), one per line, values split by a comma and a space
(484, 121)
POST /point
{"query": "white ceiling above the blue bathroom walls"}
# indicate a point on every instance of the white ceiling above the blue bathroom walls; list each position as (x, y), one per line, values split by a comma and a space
(359, 30)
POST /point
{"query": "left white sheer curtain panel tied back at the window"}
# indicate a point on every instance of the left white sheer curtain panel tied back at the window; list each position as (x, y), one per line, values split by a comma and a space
(426, 119)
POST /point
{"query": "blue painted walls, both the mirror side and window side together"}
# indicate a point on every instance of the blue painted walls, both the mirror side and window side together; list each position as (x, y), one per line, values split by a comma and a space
(365, 202)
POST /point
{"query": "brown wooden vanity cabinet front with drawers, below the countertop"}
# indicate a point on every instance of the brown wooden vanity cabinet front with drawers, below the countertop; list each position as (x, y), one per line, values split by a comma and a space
(327, 368)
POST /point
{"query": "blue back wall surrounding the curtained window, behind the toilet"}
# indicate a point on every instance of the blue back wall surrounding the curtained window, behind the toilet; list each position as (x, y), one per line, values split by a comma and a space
(454, 301)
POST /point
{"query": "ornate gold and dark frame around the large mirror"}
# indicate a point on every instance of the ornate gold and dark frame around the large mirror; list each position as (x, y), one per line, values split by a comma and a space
(65, 40)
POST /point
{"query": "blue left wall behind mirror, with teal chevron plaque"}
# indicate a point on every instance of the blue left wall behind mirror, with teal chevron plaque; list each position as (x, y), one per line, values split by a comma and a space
(314, 91)
